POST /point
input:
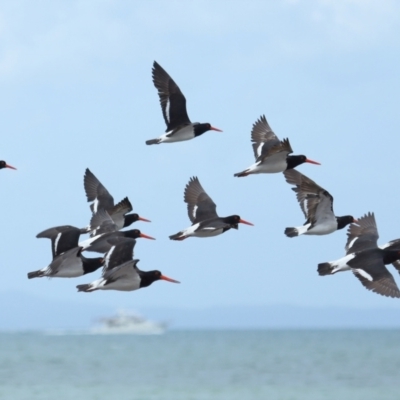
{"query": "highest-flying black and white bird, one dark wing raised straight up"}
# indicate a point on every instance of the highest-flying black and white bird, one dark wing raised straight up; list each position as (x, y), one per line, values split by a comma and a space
(173, 106)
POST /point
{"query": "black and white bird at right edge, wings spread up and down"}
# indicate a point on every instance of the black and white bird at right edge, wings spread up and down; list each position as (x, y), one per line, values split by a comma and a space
(366, 260)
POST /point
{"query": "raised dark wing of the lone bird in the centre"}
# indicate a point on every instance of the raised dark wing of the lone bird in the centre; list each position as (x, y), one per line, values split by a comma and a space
(200, 205)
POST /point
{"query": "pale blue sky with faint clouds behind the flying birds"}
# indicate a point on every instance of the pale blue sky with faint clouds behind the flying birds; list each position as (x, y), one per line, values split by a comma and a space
(76, 92)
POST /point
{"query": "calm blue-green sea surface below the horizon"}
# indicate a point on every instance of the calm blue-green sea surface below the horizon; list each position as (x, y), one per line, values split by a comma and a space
(273, 365)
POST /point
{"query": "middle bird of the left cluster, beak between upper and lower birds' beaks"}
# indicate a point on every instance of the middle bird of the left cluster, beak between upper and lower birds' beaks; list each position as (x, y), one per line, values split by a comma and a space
(106, 230)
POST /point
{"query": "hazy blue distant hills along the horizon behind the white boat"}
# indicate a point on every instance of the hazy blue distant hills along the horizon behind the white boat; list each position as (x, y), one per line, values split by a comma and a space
(25, 312)
